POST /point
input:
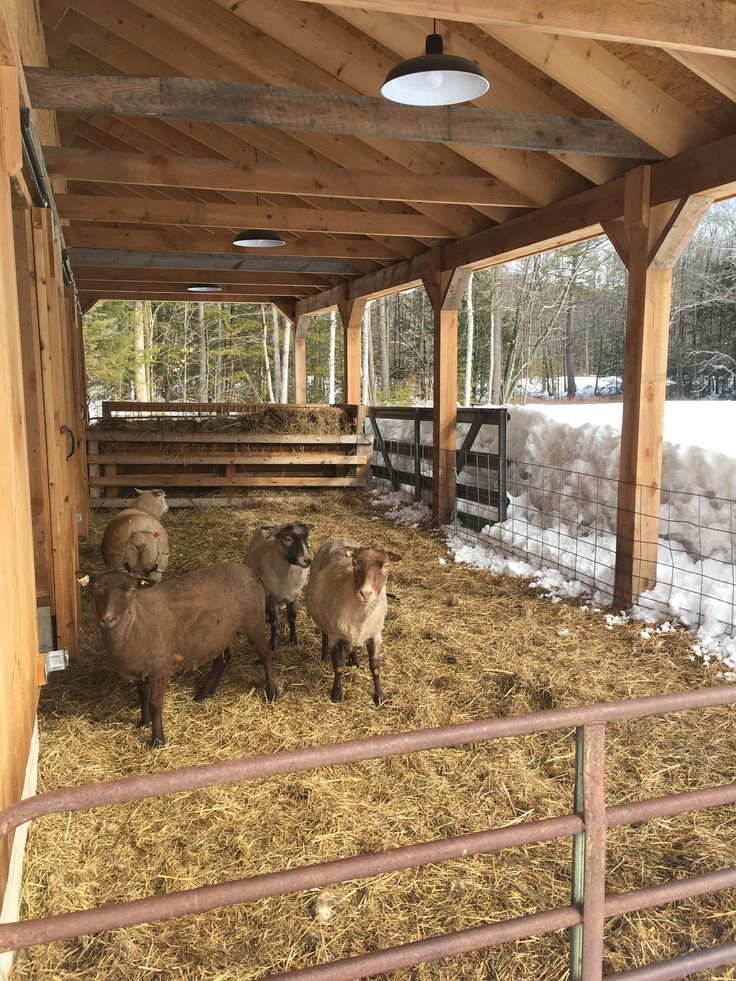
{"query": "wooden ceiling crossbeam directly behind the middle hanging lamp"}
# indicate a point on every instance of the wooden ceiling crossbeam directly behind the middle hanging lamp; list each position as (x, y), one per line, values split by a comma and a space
(192, 240)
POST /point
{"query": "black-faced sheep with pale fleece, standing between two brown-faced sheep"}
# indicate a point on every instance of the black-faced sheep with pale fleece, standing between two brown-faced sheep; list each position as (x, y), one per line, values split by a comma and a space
(279, 555)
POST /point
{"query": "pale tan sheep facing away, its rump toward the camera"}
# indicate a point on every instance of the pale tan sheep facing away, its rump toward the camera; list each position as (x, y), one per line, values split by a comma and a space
(136, 540)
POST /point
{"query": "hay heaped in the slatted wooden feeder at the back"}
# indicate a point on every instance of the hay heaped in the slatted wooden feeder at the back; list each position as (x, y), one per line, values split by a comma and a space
(315, 420)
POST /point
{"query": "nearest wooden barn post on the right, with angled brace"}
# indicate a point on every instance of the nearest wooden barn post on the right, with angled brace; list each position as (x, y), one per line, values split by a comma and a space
(649, 241)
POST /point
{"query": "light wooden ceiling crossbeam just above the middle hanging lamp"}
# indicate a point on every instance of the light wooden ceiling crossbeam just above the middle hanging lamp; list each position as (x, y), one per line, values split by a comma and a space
(89, 207)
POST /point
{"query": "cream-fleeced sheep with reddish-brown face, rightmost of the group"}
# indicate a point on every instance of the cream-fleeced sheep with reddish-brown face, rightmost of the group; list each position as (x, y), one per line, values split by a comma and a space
(346, 598)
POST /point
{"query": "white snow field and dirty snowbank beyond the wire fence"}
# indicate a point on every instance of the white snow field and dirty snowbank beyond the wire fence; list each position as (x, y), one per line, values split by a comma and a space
(561, 522)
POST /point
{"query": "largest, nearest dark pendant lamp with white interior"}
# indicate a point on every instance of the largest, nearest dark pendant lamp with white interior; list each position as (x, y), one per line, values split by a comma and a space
(434, 78)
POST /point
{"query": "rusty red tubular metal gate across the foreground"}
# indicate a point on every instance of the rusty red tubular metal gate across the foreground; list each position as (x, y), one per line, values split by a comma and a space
(584, 917)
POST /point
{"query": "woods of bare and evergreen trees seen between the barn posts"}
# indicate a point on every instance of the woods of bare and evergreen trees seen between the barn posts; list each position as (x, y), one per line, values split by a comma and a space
(530, 327)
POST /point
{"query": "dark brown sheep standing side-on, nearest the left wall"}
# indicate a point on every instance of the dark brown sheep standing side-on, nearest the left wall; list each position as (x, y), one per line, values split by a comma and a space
(146, 633)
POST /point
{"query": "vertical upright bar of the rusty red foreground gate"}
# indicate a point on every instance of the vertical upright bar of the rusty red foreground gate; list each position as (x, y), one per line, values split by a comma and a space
(589, 854)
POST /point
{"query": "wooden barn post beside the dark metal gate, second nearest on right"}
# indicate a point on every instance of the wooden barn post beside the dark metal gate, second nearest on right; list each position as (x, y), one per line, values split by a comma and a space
(445, 289)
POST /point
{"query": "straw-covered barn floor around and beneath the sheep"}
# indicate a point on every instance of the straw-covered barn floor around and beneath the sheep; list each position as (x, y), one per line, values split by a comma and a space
(460, 644)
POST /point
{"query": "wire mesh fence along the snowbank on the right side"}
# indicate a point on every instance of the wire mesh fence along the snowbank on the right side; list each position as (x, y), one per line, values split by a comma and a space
(553, 518)
